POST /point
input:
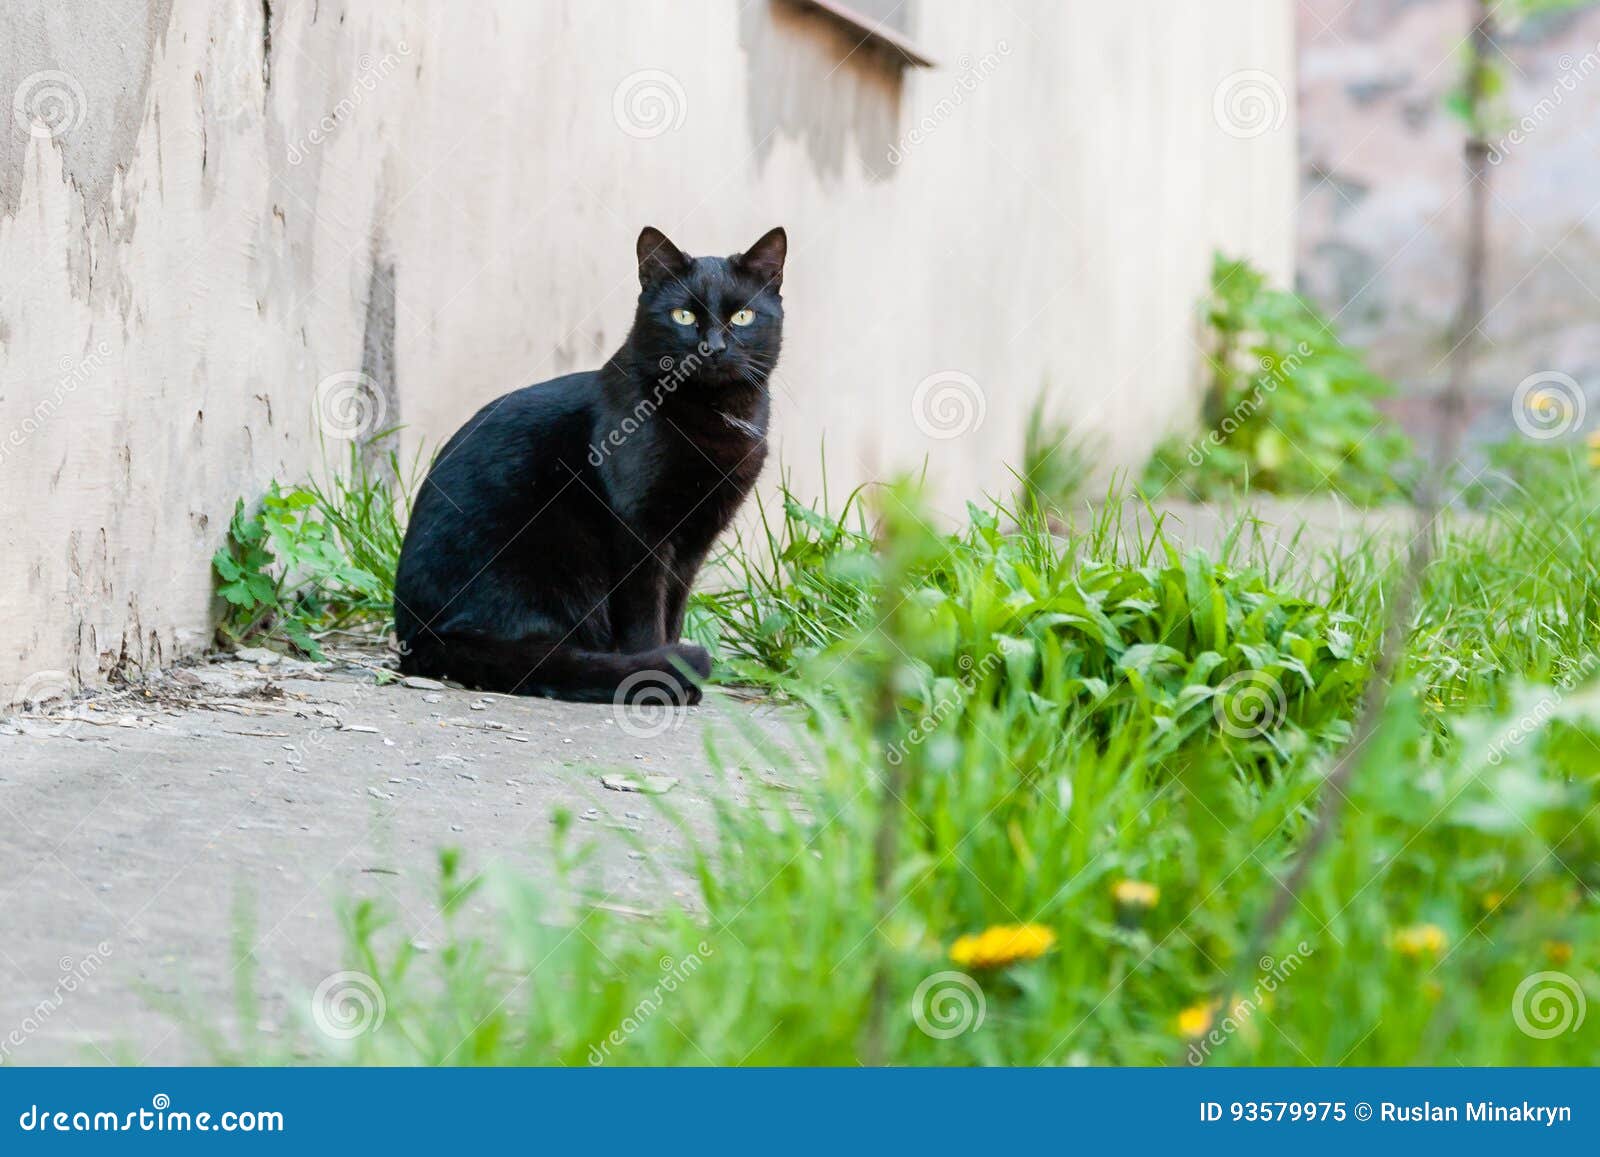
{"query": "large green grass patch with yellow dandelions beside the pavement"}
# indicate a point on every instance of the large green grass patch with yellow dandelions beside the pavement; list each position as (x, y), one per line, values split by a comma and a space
(1007, 726)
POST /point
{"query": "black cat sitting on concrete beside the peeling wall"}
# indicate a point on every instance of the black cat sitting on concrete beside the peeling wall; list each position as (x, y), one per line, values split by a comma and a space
(556, 538)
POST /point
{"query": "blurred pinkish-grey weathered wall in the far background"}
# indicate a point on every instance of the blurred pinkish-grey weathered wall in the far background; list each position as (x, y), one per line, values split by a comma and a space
(1383, 182)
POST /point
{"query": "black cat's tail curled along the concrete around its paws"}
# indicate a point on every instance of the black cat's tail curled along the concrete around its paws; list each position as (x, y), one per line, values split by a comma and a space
(540, 667)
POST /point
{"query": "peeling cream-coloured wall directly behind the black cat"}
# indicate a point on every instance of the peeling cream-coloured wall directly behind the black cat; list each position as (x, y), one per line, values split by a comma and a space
(226, 228)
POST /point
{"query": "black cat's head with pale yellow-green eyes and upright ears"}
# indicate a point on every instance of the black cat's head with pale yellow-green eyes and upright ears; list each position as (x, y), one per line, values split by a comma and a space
(719, 321)
